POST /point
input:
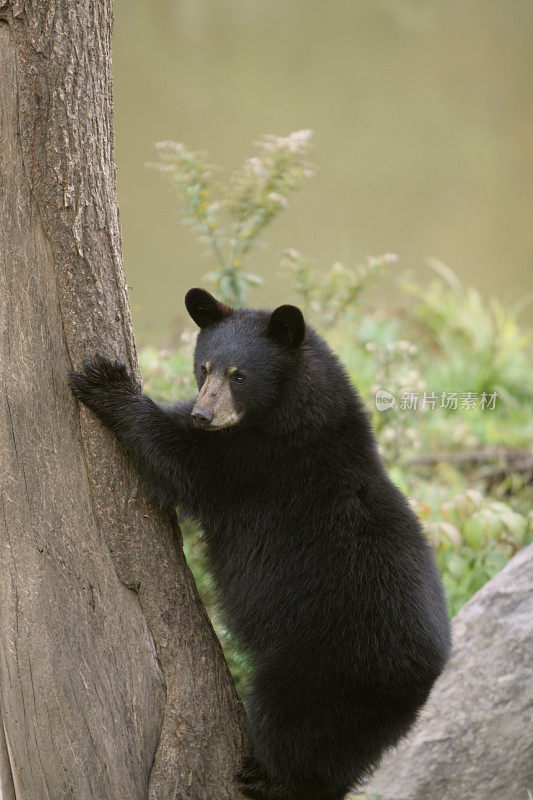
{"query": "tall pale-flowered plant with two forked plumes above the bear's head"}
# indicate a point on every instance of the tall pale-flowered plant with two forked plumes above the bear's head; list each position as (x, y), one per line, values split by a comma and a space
(230, 219)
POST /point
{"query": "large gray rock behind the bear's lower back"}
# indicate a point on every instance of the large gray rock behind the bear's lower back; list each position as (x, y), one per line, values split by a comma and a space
(473, 740)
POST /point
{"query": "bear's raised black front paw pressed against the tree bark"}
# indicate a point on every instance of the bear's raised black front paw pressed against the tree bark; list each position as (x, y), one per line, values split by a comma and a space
(102, 385)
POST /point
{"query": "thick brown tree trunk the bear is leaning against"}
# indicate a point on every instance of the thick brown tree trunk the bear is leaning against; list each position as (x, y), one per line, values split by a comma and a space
(112, 682)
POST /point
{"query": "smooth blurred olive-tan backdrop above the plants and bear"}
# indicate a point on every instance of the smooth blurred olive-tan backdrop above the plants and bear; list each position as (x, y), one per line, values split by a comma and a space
(423, 119)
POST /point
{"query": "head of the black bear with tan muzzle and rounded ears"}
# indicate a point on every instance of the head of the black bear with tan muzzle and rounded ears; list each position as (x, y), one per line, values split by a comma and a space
(242, 359)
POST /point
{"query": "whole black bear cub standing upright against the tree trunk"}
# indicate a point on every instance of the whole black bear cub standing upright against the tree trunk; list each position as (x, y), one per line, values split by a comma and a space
(324, 574)
